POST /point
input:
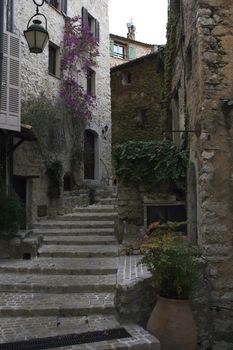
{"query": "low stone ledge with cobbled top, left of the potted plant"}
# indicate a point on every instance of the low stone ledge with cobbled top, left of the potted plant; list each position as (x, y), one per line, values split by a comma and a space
(135, 297)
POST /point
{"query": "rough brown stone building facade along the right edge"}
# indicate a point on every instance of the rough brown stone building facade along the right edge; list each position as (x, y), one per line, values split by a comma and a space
(201, 102)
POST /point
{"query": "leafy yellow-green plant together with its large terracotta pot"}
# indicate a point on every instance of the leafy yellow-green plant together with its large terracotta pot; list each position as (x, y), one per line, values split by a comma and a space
(173, 264)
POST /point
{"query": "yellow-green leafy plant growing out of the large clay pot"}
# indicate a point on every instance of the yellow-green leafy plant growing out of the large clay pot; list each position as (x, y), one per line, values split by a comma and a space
(170, 258)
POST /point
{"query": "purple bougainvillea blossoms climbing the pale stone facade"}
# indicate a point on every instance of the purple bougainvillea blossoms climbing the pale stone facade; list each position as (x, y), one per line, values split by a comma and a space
(80, 52)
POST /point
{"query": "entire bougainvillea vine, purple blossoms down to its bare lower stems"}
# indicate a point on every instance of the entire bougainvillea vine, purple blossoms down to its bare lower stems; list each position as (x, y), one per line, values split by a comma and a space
(80, 51)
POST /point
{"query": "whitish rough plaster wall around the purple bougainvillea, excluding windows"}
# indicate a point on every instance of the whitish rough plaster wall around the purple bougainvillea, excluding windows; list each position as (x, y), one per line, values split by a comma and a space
(35, 76)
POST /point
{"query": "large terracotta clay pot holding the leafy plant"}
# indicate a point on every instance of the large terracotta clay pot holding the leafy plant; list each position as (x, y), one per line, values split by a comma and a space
(172, 323)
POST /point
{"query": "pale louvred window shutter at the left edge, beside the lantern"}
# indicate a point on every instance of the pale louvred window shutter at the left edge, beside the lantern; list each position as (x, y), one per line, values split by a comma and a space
(10, 118)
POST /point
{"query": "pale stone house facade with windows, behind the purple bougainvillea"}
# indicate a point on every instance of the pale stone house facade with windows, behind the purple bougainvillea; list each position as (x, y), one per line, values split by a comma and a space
(37, 78)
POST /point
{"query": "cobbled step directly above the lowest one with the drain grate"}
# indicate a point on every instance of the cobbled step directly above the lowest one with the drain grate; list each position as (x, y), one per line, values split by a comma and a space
(44, 304)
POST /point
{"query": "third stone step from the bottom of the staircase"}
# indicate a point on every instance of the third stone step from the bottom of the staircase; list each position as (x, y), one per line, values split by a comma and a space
(38, 283)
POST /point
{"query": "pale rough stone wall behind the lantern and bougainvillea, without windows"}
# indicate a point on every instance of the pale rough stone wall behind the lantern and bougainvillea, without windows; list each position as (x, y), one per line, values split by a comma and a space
(36, 80)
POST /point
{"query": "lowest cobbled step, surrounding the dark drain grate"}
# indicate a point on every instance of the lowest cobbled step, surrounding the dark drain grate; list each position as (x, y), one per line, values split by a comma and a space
(25, 328)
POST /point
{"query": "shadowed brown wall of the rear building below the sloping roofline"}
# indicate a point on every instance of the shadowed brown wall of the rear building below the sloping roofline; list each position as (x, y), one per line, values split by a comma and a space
(143, 91)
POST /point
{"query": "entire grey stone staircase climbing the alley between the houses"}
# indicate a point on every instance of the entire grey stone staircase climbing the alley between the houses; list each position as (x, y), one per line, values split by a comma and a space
(70, 287)
